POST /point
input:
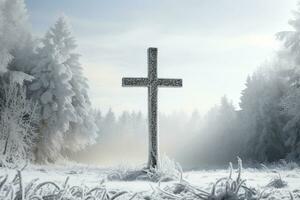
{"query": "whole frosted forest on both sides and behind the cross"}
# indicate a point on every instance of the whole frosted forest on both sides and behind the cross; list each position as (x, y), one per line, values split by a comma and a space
(46, 113)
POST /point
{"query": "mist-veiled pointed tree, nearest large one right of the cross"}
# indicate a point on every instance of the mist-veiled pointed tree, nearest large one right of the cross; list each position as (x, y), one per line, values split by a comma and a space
(217, 140)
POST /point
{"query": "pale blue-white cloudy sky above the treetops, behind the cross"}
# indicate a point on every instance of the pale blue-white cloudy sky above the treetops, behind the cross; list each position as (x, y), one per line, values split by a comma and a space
(211, 44)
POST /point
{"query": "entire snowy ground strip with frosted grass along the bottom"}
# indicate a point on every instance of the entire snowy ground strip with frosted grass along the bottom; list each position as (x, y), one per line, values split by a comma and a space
(86, 182)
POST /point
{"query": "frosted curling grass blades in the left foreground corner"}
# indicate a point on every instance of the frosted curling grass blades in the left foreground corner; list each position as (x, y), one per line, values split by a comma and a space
(16, 189)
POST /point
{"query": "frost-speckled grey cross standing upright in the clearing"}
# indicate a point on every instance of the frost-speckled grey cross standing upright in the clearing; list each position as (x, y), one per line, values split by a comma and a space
(152, 83)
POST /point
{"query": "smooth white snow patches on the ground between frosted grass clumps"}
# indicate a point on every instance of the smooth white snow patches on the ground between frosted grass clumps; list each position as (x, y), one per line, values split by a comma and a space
(204, 179)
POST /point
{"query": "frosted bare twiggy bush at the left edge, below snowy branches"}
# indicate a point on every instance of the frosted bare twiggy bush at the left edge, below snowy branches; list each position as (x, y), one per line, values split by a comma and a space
(18, 120)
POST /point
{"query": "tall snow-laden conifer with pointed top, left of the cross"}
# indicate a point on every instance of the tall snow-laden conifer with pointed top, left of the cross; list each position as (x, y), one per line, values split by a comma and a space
(67, 122)
